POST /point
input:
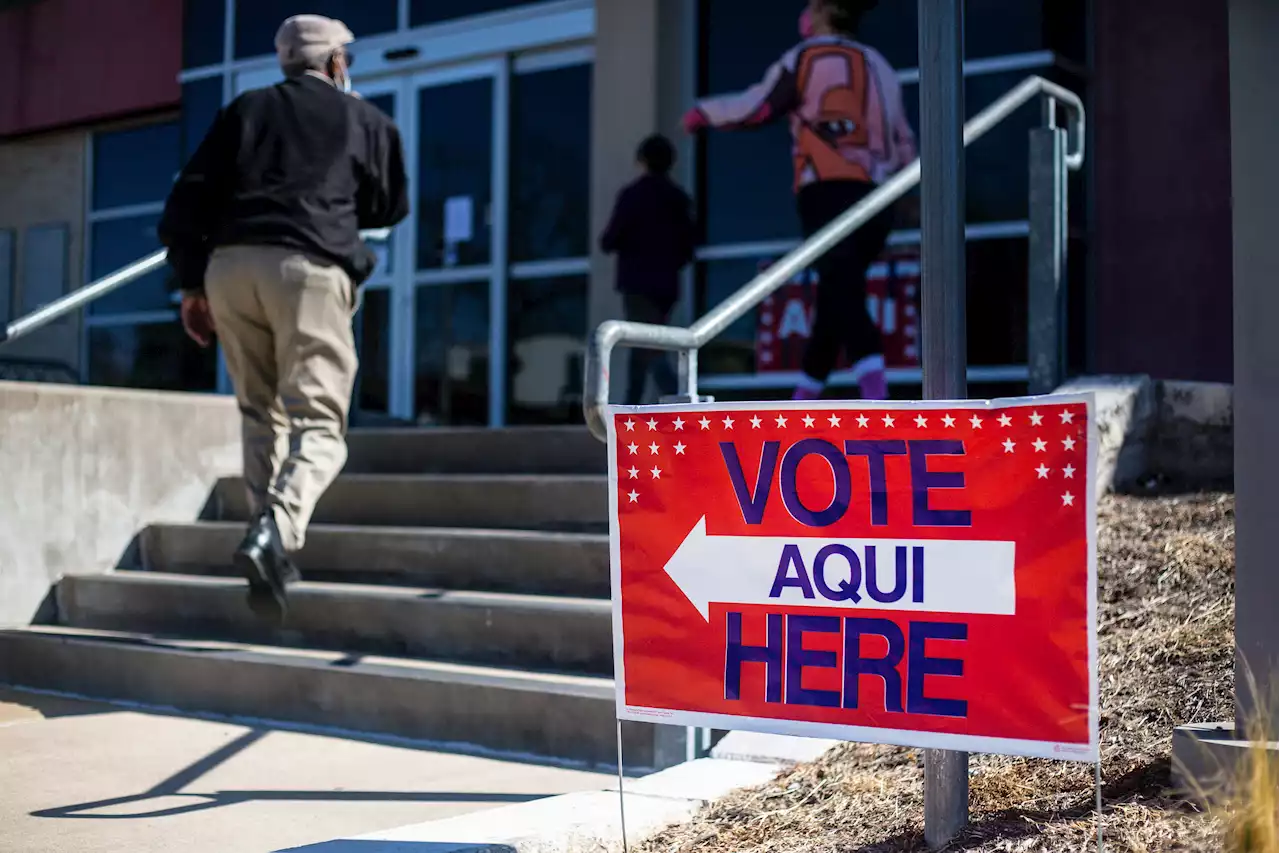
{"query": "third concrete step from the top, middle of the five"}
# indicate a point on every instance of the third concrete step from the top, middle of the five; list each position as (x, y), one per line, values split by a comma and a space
(519, 562)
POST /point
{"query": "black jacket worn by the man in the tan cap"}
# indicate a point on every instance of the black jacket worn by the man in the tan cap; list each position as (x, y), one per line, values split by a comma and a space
(299, 165)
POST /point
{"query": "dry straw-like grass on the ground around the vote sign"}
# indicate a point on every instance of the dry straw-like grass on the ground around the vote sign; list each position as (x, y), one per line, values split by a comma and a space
(1167, 622)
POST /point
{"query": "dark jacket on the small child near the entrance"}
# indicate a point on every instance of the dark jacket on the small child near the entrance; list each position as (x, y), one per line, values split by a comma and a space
(652, 232)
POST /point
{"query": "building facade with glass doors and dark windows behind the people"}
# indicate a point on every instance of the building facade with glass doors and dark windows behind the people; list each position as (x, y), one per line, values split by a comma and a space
(520, 122)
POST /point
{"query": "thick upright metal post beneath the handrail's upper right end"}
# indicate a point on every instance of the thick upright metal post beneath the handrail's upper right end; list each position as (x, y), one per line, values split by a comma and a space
(1046, 259)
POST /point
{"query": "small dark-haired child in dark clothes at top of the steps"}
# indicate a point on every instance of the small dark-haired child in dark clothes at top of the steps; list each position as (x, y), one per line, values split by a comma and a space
(652, 232)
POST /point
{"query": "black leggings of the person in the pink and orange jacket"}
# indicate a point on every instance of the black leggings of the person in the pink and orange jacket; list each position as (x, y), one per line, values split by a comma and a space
(842, 317)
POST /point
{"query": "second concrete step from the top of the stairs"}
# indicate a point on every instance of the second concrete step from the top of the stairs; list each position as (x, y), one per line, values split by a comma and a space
(520, 501)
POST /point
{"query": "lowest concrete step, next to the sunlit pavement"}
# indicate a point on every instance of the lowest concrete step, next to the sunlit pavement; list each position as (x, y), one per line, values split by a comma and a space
(560, 717)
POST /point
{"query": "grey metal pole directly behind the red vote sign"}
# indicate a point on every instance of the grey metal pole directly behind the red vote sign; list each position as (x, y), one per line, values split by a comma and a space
(943, 256)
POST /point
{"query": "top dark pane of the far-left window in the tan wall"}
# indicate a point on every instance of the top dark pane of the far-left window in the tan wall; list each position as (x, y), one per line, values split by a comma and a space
(135, 167)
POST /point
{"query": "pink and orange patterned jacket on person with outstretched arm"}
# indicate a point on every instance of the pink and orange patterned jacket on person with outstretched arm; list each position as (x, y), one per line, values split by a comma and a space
(845, 107)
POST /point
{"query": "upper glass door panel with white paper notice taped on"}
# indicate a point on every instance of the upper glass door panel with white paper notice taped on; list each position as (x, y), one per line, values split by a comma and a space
(455, 174)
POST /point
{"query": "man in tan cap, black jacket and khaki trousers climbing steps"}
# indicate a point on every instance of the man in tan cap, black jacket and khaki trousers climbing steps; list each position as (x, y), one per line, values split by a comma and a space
(263, 236)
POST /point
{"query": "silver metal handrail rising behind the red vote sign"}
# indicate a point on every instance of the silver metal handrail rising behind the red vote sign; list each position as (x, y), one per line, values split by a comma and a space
(688, 341)
